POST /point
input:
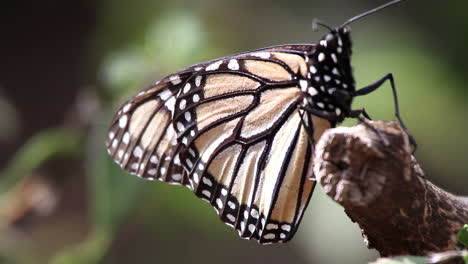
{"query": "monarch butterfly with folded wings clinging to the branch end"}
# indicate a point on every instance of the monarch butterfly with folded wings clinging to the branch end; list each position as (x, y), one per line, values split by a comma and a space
(239, 131)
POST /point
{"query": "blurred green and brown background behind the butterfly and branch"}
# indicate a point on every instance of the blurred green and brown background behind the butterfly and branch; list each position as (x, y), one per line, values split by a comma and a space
(67, 66)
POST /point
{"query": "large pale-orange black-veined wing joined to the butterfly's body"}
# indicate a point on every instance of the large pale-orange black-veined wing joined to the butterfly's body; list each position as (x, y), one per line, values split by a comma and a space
(244, 146)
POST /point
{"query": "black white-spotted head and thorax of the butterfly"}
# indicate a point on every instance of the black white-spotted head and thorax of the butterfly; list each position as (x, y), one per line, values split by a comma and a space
(330, 79)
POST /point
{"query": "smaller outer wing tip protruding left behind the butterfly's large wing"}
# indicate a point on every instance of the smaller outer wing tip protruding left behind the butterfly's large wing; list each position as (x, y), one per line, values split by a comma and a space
(142, 139)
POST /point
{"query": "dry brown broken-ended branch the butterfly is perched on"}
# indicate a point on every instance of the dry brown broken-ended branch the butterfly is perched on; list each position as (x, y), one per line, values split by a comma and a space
(384, 190)
